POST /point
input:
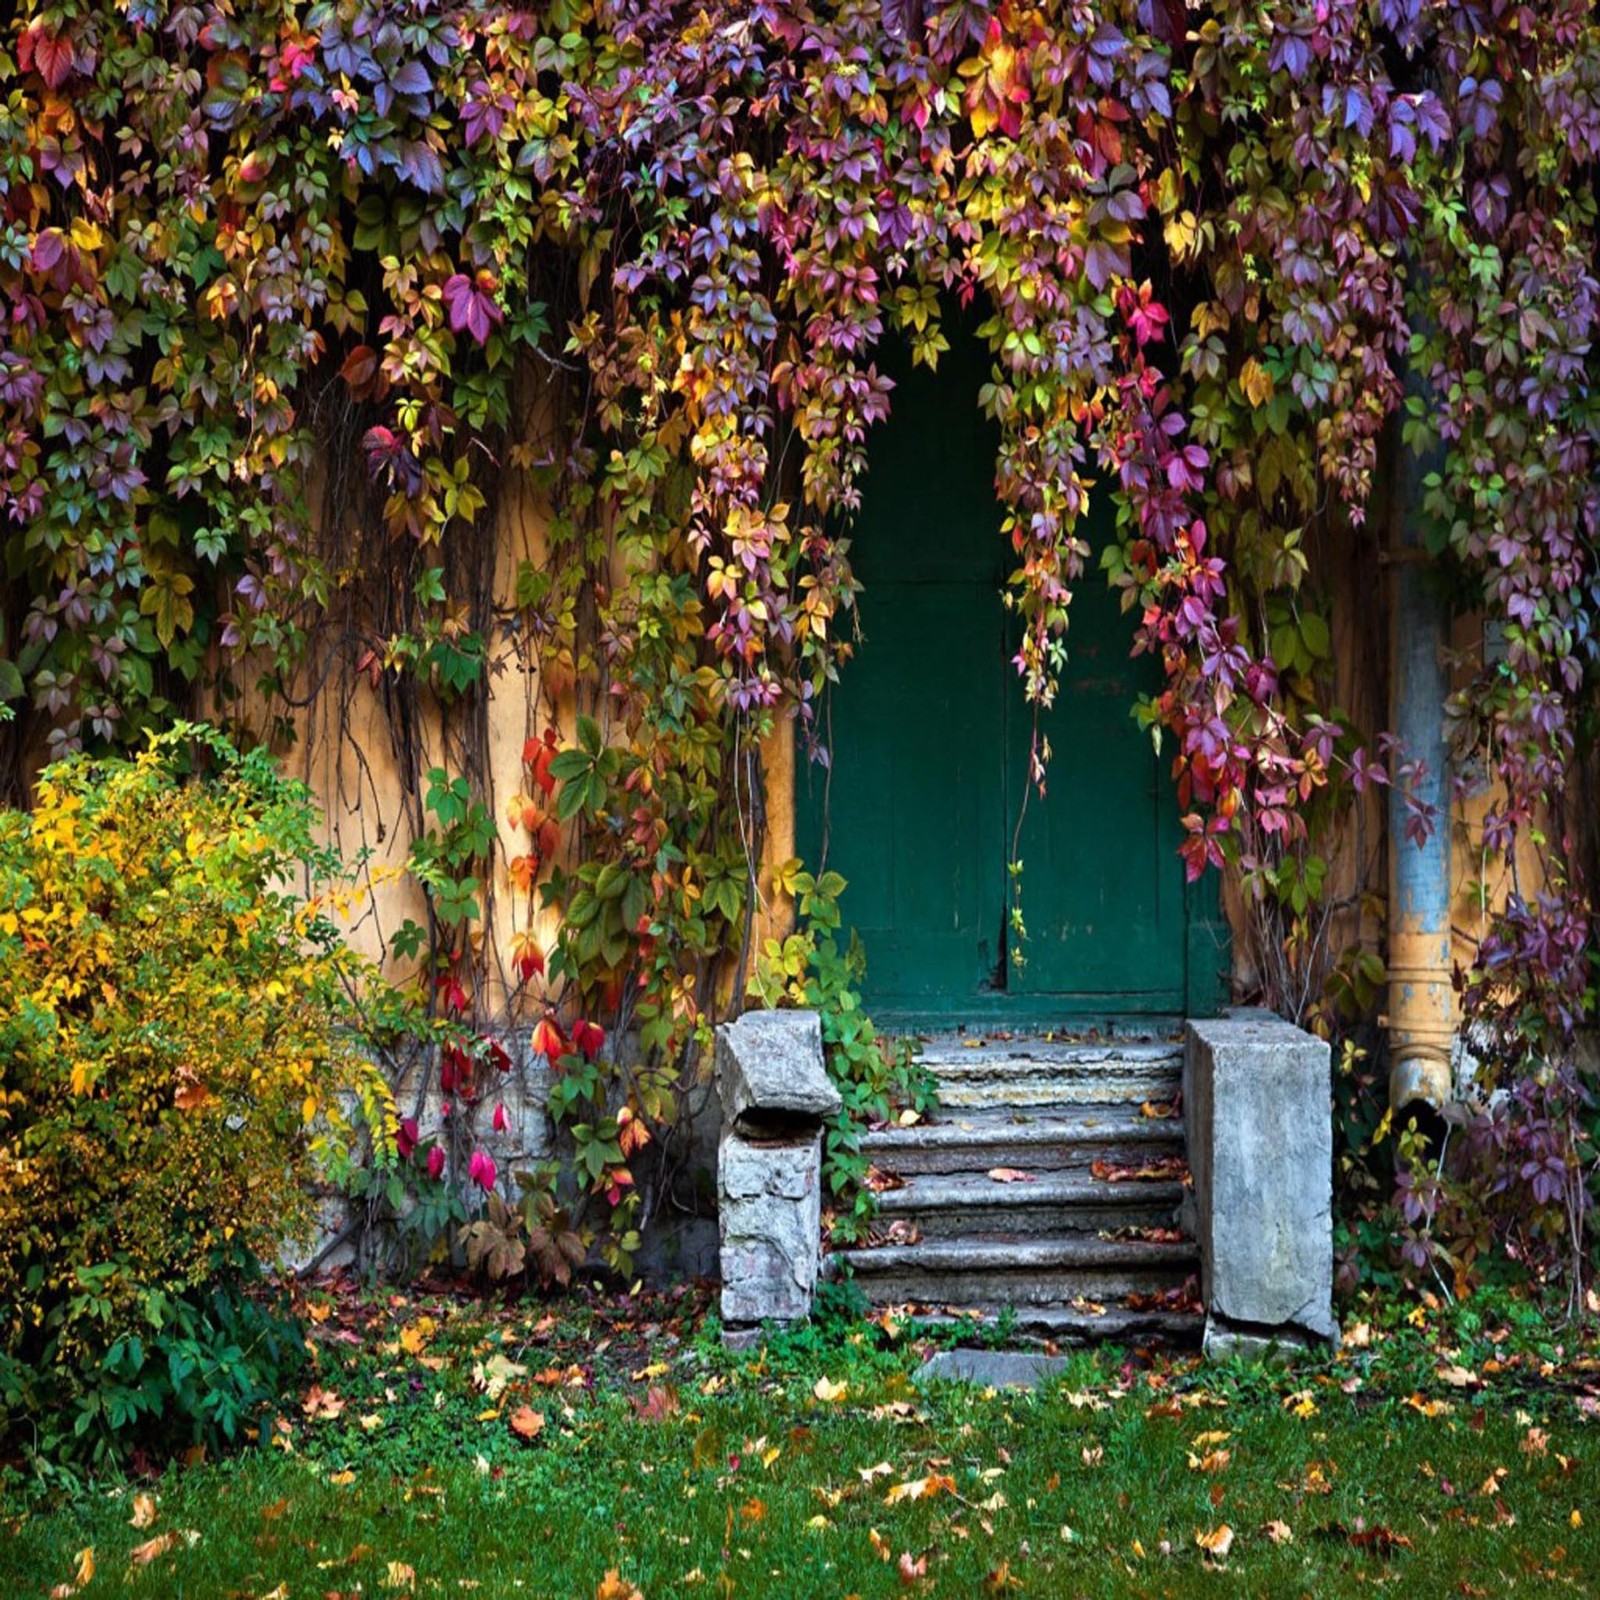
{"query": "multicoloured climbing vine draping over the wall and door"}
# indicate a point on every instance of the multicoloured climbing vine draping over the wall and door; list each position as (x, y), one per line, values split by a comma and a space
(305, 295)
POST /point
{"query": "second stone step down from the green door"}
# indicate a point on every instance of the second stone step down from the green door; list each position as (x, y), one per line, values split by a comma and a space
(1062, 1140)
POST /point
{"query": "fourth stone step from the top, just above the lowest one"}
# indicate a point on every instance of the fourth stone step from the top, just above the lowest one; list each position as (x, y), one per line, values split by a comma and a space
(983, 1271)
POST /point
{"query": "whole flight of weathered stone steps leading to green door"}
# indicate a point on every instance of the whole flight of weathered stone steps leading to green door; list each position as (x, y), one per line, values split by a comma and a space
(1049, 1183)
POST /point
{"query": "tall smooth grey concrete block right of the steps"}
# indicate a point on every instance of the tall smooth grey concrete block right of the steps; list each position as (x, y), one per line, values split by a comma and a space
(1258, 1111)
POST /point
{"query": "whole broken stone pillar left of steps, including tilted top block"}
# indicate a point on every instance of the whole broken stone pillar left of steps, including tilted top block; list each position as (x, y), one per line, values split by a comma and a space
(775, 1094)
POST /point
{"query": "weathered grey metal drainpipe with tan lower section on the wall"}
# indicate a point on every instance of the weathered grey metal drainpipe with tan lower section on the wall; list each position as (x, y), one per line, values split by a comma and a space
(1422, 998)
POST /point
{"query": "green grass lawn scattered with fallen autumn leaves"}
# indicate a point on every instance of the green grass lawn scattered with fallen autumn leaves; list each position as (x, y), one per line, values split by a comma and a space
(607, 1449)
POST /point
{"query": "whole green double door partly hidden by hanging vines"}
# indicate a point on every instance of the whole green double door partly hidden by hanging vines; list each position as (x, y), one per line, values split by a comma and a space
(929, 735)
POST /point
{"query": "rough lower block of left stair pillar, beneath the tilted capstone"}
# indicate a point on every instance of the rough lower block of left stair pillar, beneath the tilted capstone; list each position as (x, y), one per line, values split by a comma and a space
(770, 1207)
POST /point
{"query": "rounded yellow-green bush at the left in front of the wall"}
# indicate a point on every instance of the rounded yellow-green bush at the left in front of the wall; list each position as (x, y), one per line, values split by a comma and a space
(172, 1073)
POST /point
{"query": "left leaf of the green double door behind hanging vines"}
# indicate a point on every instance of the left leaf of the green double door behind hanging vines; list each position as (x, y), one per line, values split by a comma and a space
(913, 806)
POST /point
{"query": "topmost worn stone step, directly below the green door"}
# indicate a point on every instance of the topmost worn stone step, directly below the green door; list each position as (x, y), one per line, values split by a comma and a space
(1034, 1071)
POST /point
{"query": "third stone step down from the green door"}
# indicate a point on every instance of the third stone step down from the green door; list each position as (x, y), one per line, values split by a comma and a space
(961, 1206)
